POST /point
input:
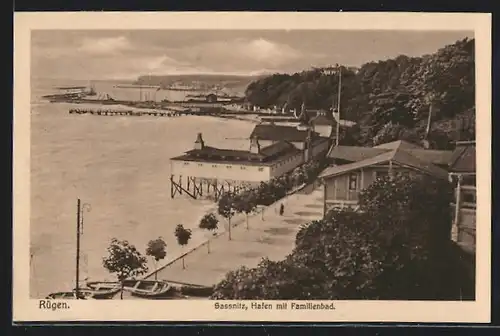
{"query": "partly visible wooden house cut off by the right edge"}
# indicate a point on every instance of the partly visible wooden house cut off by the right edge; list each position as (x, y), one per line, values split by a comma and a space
(462, 167)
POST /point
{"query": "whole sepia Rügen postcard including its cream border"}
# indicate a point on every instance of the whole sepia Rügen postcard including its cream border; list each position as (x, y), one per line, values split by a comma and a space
(271, 167)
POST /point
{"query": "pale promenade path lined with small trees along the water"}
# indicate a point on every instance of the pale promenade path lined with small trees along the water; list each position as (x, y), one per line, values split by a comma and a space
(272, 237)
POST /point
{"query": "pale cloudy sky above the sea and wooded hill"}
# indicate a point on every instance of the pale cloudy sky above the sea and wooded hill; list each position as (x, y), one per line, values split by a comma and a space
(107, 54)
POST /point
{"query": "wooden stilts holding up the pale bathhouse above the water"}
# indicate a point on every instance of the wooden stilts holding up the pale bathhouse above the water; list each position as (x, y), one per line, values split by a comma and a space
(196, 187)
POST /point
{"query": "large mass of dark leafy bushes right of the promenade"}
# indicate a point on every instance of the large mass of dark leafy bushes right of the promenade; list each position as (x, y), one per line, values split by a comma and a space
(396, 247)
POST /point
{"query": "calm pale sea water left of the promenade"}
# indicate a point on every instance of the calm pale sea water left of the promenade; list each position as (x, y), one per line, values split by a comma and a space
(119, 166)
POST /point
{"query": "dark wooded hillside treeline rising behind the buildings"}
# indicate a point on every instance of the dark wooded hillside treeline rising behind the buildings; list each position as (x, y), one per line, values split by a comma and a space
(389, 99)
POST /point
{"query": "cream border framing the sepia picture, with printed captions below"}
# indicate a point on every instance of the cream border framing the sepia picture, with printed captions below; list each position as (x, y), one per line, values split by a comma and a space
(25, 309)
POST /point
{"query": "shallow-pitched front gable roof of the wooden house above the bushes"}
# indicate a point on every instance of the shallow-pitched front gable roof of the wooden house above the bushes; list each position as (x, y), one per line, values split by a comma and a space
(397, 156)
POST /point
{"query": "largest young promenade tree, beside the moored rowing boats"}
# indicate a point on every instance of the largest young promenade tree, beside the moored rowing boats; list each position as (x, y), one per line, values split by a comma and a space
(125, 261)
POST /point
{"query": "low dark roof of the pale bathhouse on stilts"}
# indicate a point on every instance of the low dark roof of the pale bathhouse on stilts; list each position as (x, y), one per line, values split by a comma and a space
(266, 155)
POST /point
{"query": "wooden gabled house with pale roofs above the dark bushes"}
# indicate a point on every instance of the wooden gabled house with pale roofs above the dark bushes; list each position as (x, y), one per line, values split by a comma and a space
(355, 168)
